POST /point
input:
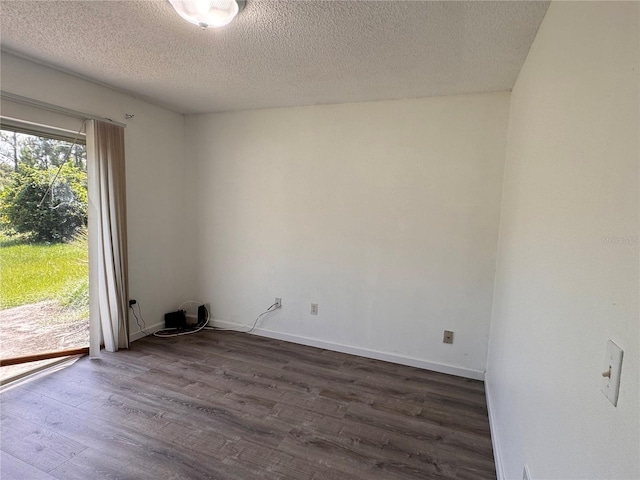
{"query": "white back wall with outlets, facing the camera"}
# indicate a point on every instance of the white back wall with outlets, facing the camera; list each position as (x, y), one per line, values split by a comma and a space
(385, 214)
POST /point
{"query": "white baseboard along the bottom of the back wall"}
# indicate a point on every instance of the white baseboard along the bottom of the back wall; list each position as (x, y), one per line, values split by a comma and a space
(361, 352)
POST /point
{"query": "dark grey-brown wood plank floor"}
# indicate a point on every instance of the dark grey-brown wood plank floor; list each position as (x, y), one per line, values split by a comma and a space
(235, 406)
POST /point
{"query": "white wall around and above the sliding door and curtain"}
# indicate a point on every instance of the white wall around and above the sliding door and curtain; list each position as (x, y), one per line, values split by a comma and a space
(159, 252)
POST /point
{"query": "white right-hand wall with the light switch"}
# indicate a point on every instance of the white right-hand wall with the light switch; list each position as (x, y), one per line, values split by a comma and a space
(567, 278)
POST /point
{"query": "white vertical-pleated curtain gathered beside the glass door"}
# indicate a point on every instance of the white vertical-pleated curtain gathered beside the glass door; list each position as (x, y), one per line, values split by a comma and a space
(108, 276)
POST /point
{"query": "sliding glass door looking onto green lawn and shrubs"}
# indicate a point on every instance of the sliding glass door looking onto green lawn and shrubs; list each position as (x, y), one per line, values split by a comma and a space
(44, 267)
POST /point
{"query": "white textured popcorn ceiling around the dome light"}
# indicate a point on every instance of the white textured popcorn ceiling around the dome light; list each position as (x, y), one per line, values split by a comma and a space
(279, 53)
